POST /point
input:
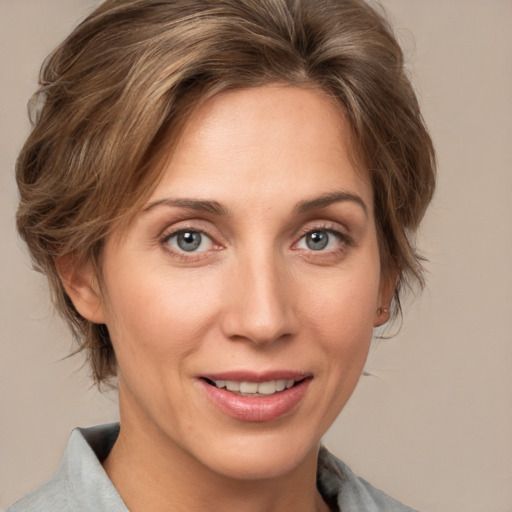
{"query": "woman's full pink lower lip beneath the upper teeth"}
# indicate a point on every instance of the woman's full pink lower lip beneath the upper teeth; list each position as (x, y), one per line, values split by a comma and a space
(258, 408)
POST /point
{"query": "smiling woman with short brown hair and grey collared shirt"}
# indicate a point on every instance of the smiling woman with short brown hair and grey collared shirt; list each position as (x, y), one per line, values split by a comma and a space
(222, 195)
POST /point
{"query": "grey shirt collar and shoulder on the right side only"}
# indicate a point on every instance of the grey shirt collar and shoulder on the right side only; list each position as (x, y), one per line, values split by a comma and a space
(353, 494)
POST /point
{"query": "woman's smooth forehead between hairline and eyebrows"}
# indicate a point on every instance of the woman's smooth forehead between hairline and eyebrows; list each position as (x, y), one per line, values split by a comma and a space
(266, 142)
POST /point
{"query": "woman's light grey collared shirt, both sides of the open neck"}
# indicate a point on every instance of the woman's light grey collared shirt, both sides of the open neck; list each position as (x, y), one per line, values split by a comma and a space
(81, 485)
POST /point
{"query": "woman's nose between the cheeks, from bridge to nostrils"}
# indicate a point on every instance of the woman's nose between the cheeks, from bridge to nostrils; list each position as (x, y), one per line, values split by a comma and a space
(258, 303)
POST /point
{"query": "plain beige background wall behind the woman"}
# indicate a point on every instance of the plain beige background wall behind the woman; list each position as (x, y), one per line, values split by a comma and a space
(433, 426)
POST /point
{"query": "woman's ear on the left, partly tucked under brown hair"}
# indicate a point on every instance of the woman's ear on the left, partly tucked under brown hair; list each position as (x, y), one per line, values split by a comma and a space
(81, 285)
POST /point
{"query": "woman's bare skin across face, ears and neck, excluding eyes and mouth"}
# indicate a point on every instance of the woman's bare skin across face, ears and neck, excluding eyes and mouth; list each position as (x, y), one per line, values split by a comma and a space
(253, 297)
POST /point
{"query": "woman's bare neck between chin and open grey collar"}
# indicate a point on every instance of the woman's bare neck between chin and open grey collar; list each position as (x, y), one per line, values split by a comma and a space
(151, 472)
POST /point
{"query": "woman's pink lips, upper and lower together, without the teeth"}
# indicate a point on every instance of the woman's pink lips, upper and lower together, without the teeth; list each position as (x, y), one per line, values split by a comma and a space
(259, 408)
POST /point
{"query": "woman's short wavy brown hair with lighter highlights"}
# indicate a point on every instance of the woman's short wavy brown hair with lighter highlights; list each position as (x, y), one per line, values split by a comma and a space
(114, 95)
